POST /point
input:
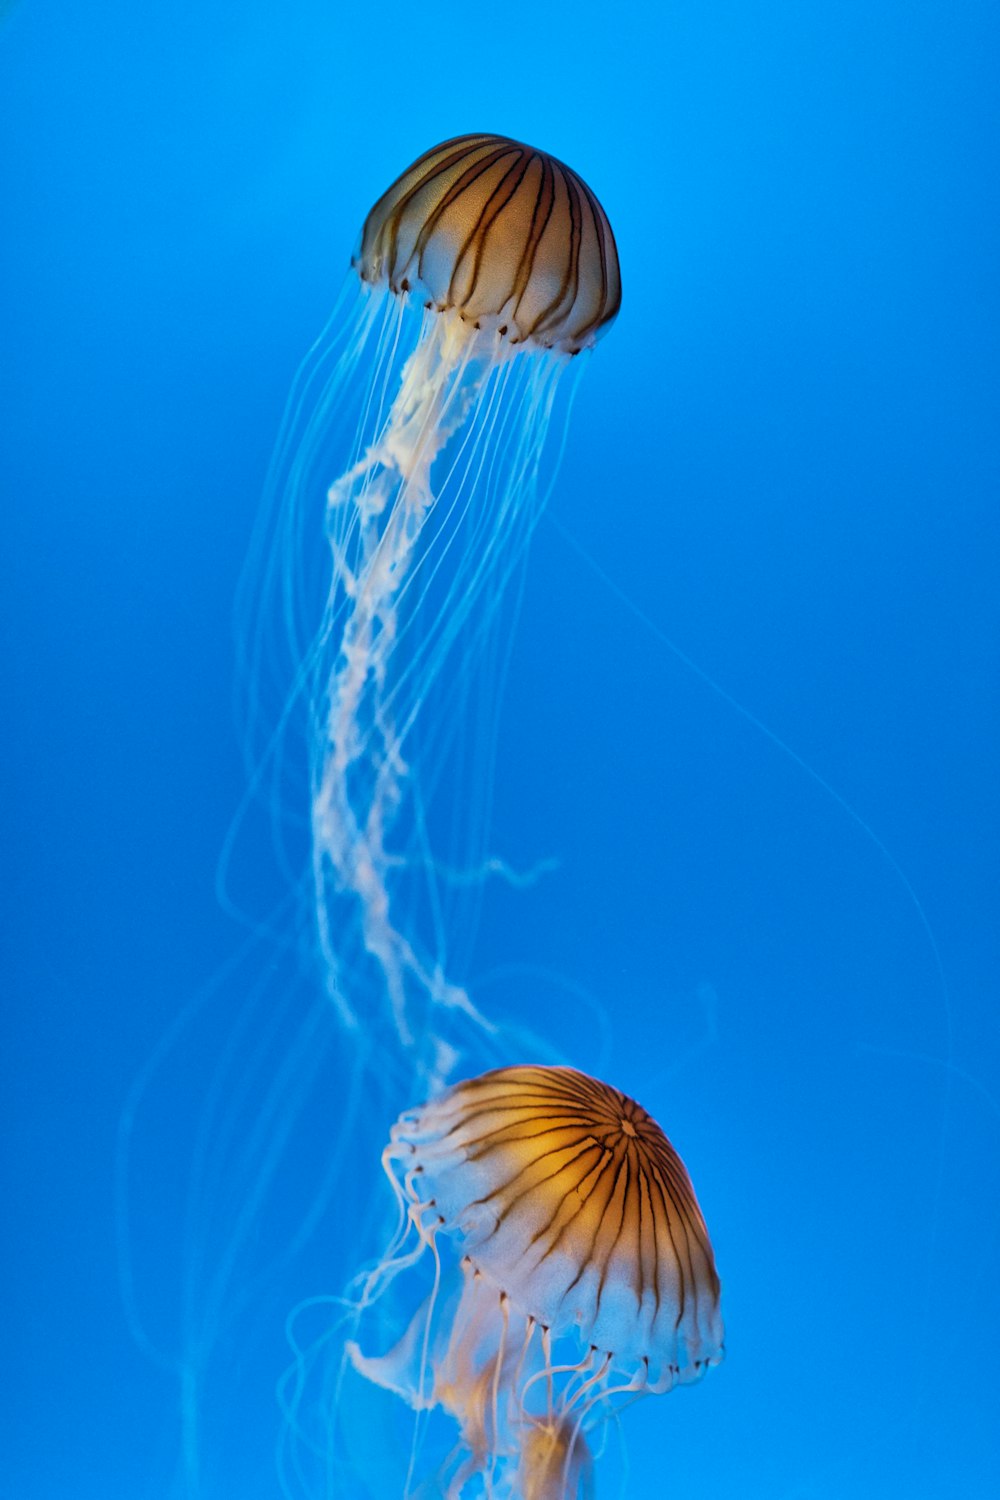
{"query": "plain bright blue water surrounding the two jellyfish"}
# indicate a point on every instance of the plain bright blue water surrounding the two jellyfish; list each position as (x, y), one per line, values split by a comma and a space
(783, 460)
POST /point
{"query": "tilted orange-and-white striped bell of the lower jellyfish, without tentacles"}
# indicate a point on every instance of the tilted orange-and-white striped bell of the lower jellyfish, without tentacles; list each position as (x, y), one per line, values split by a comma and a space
(572, 1201)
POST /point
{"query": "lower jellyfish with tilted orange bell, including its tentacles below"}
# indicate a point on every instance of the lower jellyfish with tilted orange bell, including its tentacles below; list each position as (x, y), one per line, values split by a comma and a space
(572, 1273)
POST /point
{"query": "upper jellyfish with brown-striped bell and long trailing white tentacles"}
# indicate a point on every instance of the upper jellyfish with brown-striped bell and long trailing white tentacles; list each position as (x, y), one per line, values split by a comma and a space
(485, 271)
